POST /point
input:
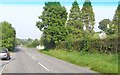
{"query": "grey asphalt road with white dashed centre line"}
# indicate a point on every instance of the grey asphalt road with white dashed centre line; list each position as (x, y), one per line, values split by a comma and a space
(25, 60)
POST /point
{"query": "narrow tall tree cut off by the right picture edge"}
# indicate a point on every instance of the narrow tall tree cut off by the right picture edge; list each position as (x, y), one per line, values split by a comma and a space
(116, 19)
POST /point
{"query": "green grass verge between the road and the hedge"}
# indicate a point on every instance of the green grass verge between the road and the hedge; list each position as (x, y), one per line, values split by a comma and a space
(103, 63)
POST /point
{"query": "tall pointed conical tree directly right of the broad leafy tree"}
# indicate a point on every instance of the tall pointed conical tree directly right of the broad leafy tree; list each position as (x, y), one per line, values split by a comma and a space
(74, 24)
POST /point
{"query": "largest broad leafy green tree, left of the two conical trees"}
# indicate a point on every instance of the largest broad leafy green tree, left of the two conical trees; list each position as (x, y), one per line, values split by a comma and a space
(52, 24)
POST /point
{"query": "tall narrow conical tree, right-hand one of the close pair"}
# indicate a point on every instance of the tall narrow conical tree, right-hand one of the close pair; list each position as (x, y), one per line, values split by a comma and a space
(88, 16)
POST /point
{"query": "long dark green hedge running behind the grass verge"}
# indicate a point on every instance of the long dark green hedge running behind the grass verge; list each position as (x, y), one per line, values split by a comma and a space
(108, 45)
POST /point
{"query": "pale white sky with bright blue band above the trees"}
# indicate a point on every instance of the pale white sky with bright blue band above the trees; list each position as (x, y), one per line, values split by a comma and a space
(23, 14)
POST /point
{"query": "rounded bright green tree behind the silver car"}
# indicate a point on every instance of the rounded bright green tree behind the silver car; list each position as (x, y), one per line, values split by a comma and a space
(7, 36)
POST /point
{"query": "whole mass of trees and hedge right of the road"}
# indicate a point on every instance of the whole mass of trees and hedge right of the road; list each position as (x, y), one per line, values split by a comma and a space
(75, 31)
